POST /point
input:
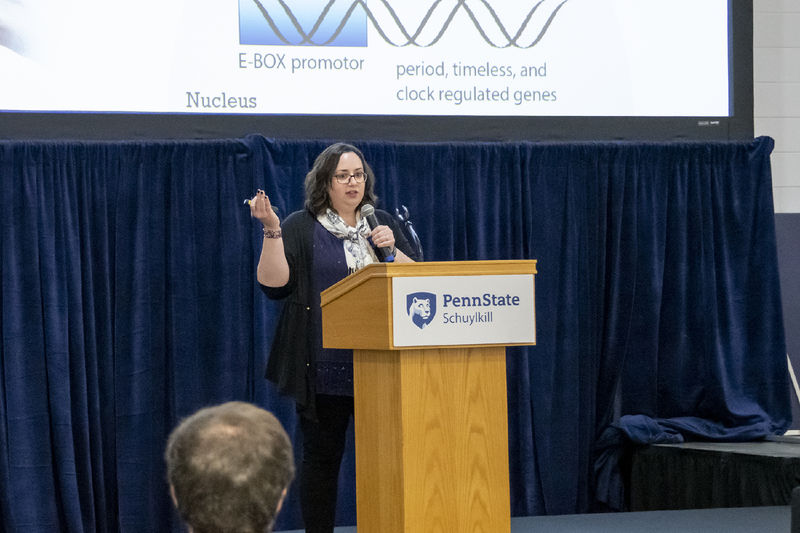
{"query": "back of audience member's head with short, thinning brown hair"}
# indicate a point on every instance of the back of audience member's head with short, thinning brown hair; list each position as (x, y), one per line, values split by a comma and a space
(228, 468)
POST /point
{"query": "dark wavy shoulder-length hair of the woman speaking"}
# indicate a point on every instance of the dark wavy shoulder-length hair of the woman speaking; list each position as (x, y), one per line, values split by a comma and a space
(318, 179)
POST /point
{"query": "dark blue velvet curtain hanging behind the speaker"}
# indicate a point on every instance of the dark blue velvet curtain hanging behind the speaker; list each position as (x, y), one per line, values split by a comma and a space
(128, 300)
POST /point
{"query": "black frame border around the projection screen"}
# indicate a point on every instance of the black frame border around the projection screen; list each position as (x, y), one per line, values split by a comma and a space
(131, 126)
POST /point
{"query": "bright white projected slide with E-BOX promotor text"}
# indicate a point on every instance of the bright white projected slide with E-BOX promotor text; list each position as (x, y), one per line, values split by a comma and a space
(527, 58)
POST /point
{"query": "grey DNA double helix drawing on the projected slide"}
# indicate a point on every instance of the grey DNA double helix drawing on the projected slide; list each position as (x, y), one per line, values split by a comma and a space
(294, 34)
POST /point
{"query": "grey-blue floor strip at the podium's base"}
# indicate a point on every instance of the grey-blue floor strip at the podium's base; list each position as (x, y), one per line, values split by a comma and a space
(734, 520)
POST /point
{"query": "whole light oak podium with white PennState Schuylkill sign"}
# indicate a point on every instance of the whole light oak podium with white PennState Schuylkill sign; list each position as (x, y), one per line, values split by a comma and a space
(431, 424)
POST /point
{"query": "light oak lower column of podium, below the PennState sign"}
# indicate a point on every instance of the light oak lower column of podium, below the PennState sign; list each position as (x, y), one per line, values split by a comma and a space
(431, 440)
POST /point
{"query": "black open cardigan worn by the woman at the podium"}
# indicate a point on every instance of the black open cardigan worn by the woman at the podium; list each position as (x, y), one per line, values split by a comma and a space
(291, 359)
